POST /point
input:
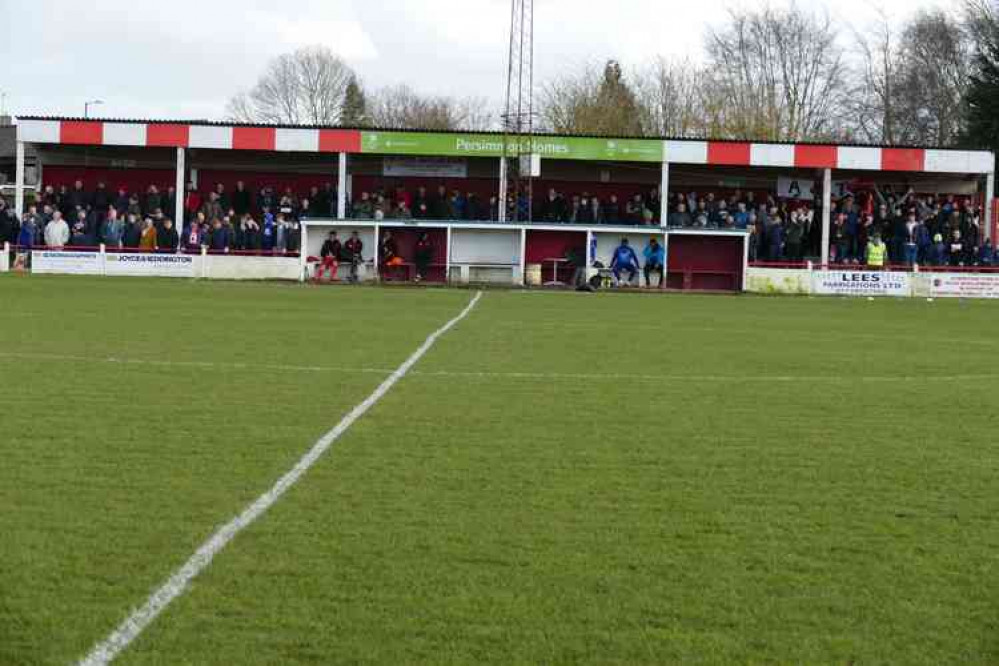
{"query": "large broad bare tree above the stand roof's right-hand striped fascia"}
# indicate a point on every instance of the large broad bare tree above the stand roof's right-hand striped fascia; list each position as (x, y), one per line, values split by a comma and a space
(779, 72)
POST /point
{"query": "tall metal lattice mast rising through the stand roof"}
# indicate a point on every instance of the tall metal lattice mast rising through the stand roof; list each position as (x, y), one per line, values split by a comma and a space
(518, 120)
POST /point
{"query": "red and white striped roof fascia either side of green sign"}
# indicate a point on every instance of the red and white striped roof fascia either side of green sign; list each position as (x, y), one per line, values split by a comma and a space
(716, 153)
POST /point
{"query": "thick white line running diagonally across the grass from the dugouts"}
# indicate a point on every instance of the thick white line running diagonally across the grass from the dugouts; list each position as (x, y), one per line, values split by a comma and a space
(131, 627)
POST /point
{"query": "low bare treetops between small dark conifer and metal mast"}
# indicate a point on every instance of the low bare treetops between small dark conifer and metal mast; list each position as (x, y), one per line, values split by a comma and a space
(402, 107)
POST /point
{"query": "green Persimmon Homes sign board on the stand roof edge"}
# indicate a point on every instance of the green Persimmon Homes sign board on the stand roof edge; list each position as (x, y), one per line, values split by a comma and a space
(490, 145)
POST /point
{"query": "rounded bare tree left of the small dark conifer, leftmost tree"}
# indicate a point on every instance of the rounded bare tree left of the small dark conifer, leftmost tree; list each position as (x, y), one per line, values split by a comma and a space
(307, 87)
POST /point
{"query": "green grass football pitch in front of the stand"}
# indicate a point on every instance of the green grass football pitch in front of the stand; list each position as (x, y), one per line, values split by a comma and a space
(564, 479)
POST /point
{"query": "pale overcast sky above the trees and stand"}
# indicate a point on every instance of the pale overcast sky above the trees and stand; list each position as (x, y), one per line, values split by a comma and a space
(185, 58)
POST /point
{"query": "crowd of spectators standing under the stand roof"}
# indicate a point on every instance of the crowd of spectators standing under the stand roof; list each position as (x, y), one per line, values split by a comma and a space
(931, 230)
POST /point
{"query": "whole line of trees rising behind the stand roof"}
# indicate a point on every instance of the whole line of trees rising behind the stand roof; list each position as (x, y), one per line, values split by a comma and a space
(766, 73)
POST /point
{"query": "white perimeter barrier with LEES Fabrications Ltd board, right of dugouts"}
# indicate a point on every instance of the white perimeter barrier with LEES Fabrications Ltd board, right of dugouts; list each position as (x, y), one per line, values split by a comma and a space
(849, 282)
